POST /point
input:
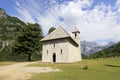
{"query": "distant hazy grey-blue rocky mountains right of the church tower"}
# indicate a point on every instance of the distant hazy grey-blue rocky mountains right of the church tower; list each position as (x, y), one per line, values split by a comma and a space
(88, 47)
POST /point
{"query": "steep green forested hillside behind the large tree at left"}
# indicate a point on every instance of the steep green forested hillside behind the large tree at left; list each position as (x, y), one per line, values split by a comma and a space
(10, 27)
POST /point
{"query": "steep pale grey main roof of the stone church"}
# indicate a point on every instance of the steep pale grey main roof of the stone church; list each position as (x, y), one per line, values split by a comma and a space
(58, 33)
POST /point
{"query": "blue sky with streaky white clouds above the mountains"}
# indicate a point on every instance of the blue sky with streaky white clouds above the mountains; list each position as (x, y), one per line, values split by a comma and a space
(97, 20)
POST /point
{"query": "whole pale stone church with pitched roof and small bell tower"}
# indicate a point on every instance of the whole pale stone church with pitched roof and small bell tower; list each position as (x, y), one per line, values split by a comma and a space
(60, 47)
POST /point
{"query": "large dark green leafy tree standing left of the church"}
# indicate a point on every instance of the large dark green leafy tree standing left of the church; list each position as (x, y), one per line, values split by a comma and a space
(28, 40)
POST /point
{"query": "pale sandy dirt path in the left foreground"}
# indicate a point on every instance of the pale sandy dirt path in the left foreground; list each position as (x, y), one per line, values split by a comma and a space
(18, 71)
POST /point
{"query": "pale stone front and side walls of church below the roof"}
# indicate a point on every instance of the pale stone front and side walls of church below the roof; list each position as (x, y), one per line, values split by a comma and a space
(65, 50)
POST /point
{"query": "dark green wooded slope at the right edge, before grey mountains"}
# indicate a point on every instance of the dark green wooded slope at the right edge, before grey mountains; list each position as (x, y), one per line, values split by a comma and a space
(111, 51)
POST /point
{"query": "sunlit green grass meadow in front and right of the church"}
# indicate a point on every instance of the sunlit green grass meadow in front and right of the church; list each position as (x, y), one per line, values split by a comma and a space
(98, 69)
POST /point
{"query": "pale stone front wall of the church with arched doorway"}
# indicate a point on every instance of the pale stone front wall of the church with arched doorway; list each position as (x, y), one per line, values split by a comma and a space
(55, 46)
